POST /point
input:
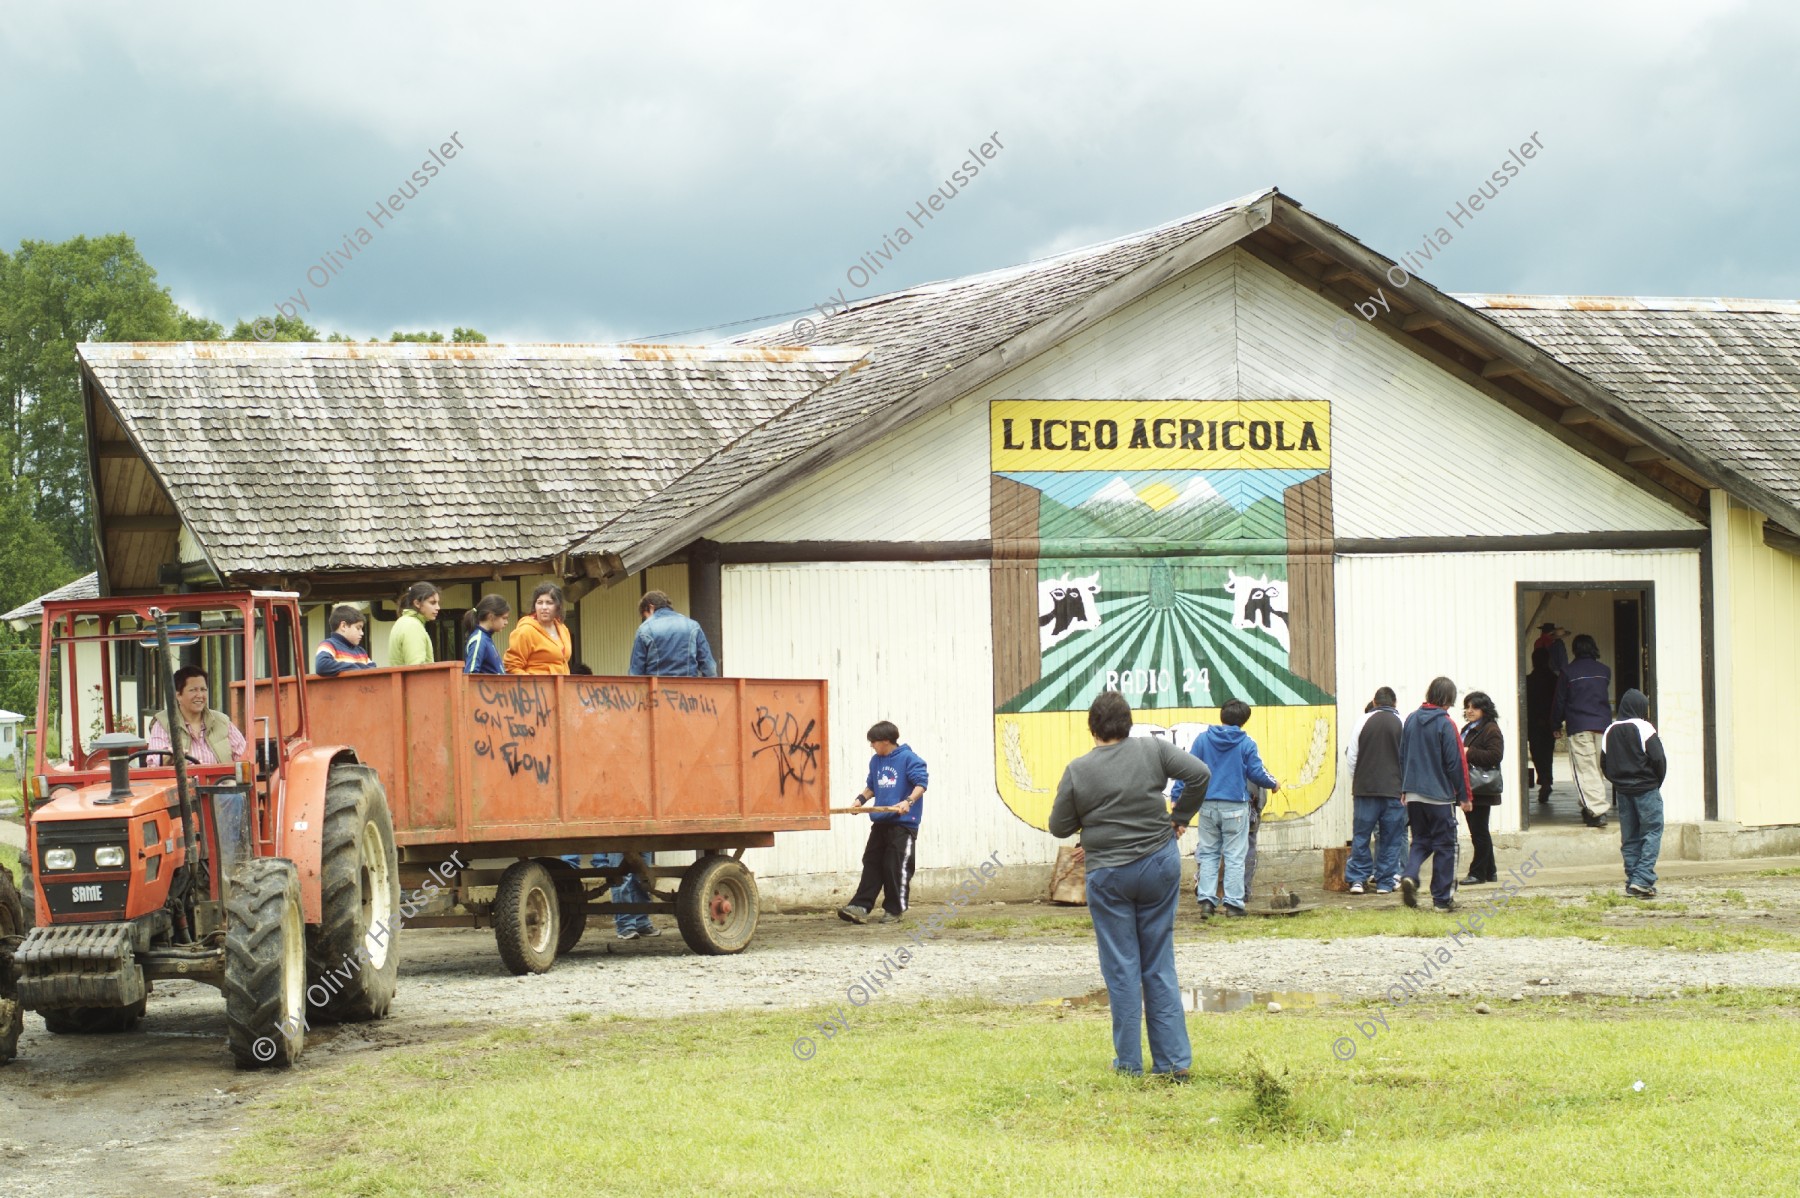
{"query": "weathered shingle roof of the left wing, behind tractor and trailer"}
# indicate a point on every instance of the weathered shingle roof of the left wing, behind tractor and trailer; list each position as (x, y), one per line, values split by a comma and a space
(307, 458)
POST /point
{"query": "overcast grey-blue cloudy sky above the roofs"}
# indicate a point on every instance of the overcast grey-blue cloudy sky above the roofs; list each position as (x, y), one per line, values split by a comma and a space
(638, 170)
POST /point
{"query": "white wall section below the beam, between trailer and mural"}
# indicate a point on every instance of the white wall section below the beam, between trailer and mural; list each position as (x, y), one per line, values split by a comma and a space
(897, 641)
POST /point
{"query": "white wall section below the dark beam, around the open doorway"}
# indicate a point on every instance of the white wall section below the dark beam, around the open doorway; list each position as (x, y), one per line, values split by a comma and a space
(1405, 620)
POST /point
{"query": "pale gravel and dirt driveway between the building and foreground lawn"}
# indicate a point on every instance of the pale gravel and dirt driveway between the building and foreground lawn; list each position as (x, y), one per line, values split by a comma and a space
(154, 1111)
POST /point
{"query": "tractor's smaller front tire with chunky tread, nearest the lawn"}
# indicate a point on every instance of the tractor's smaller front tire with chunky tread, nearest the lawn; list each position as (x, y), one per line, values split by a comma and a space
(265, 965)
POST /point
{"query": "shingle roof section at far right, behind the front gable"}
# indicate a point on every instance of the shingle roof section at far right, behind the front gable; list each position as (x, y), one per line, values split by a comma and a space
(1720, 375)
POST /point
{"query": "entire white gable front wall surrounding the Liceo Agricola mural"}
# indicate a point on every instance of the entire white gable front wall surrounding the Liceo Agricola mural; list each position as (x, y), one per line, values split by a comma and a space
(1416, 454)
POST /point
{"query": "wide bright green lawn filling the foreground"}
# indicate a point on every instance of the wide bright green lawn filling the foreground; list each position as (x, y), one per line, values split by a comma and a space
(980, 1100)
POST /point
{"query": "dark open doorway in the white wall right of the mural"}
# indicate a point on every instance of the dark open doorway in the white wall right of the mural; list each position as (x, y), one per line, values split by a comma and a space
(1621, 620)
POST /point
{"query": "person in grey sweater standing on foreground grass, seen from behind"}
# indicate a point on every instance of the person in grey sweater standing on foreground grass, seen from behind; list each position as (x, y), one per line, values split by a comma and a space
(1113, 796)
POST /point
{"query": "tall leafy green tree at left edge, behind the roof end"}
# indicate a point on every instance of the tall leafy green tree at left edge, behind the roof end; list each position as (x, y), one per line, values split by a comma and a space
(53, 298)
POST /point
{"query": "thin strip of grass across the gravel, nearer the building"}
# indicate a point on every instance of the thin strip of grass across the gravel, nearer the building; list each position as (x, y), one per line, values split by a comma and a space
(1709, 922)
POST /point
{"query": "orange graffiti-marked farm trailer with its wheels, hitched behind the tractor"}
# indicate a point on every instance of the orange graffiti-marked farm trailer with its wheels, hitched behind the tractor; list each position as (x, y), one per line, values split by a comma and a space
(492, 780)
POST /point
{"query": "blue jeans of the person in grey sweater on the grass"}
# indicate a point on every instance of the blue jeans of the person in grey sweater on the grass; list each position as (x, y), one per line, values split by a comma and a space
(1135, 925)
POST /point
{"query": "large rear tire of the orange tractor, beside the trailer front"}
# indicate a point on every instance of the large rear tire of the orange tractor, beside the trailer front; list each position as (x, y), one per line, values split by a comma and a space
(354, 952)
